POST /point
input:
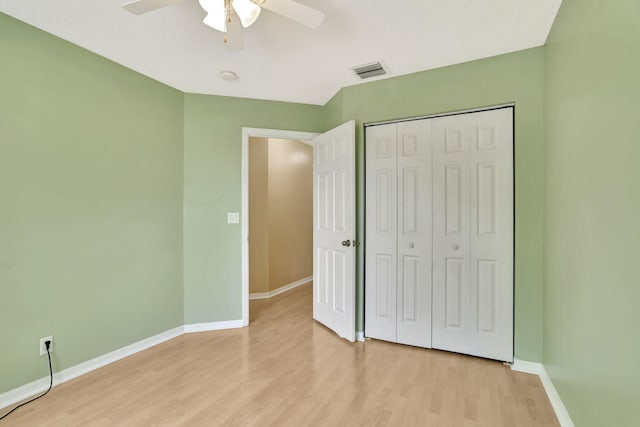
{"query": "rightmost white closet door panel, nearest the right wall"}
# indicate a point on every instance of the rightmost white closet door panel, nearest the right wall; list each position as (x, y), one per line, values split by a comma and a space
(491, 236)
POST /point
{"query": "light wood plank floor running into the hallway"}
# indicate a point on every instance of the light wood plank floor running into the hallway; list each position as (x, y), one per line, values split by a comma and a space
(288, 370)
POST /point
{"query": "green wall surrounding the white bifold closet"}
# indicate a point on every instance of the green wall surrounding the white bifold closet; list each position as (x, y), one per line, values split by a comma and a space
(517, 77)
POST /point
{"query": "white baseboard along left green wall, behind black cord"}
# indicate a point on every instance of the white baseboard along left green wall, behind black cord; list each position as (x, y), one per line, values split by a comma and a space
(38, 386)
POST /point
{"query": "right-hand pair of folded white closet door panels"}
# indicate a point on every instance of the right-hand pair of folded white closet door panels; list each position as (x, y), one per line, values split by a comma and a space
(473, 234)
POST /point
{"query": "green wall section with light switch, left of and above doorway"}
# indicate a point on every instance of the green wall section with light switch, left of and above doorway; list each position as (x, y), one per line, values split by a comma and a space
(212, 151)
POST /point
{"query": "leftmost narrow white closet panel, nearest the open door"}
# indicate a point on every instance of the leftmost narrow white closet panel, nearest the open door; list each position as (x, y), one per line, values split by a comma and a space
(381, 232)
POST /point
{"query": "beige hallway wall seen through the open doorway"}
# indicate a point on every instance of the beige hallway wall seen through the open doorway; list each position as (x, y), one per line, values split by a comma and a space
(280, 213)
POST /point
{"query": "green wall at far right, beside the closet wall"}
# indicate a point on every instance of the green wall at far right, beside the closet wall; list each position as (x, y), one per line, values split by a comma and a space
(592, 210)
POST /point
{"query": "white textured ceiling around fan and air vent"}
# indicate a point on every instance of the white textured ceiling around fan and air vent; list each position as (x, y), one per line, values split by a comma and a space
(283, 60)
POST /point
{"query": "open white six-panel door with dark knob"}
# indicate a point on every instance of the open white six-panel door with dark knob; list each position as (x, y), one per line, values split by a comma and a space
(334, 229)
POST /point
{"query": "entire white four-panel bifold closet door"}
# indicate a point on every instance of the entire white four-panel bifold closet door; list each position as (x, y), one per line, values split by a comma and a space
(439, 233)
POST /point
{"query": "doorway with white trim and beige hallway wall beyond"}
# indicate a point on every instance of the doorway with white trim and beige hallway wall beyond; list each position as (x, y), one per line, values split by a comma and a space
(277, 213)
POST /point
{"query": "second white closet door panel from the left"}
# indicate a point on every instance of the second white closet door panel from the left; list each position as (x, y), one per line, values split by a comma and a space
(414, 233)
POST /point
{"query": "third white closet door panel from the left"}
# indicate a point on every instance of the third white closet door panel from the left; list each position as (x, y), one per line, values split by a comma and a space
(451, 224)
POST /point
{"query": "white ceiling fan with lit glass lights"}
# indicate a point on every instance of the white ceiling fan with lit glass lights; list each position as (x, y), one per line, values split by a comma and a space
(229, 16)
